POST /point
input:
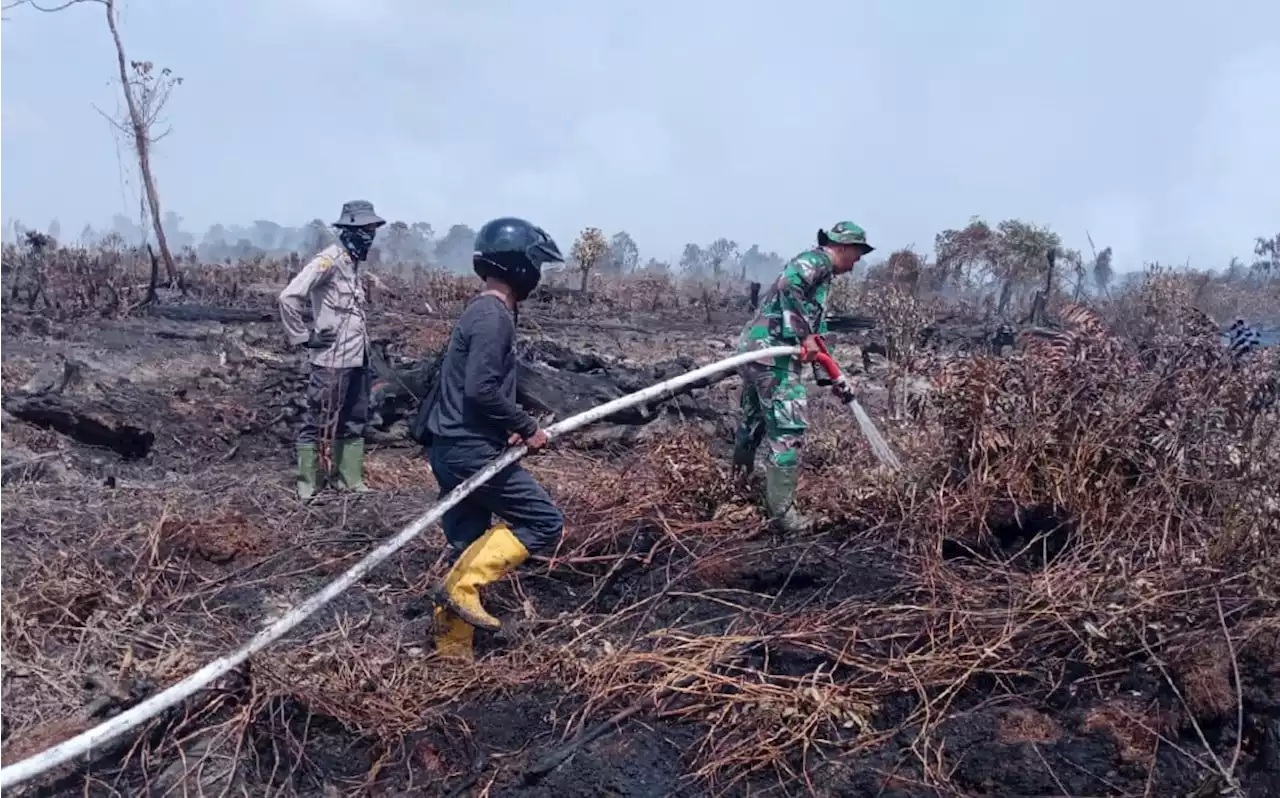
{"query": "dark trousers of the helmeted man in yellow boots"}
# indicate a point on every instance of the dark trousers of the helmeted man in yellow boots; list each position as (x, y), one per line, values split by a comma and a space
(513, 495)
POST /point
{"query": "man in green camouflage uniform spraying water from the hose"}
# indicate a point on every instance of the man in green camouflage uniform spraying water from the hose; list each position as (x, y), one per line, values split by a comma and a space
(793, 313)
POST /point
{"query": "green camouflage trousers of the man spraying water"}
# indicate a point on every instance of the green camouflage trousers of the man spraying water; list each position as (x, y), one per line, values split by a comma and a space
(774, 408)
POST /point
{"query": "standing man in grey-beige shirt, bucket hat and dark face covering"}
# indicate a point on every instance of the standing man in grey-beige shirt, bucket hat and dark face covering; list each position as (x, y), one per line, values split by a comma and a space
(339, 387)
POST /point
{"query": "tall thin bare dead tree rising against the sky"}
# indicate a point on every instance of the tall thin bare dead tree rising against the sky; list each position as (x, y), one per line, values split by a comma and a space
(147, 93)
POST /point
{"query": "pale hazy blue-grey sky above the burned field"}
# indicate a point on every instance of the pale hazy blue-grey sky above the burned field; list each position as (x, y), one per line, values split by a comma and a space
(1153, 125)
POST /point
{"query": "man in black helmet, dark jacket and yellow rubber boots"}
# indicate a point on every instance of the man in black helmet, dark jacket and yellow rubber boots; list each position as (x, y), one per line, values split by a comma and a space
(473, 421)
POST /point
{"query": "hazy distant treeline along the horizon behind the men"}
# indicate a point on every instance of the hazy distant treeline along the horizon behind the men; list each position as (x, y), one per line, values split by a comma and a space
(1011, 253)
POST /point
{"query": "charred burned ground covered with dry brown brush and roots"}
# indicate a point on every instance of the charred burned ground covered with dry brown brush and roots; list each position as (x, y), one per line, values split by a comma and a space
(1072, 592)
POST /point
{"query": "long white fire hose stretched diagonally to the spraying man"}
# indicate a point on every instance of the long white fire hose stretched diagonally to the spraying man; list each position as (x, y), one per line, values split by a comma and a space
(172, 696)
